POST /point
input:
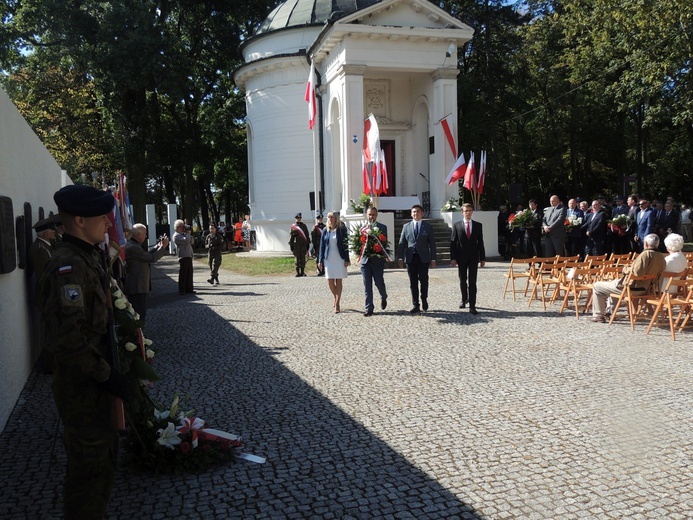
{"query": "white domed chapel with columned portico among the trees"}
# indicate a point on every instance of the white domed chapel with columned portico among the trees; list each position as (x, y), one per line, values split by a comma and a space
(395, 59)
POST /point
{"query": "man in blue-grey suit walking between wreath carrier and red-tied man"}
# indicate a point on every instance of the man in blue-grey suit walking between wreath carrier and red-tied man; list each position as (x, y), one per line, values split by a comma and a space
(418, 244)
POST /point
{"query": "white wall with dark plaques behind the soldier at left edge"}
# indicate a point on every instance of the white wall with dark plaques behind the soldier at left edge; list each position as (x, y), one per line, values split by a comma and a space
(28, 173)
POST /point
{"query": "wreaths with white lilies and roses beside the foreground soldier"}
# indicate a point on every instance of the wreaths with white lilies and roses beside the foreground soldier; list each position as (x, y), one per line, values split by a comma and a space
(160, 438)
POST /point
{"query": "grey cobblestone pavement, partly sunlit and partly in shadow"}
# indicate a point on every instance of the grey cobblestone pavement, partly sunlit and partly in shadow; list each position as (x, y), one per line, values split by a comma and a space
(514, 413)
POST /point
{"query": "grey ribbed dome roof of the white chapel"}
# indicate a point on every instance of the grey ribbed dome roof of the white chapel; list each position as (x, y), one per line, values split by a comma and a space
(297, 13)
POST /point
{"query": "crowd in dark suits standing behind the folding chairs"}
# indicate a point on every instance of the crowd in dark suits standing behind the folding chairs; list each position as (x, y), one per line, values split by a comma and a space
(595, 227)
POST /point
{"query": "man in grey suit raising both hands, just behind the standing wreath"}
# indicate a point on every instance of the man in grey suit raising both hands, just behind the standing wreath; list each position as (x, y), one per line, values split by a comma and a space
(137, 261)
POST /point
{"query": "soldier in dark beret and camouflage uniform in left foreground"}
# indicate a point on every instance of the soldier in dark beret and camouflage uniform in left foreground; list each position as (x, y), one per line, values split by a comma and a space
(72, 296)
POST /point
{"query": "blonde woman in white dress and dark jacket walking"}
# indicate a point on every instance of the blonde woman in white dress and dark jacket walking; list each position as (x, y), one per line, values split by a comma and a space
(334, 256)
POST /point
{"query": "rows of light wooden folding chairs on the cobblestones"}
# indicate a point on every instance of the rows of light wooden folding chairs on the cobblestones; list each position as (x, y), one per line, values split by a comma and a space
(570, 281)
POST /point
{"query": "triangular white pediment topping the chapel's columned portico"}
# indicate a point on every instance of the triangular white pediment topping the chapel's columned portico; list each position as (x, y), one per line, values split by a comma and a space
(406, 14)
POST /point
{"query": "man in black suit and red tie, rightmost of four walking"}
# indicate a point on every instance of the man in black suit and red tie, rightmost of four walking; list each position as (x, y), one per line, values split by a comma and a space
(468, 253)
